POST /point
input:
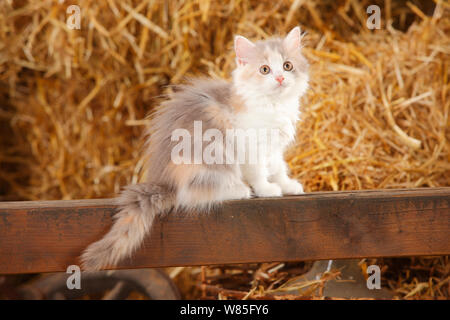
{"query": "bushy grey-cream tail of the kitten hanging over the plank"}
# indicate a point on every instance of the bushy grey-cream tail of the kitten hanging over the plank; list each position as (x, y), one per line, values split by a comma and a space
(138, 206)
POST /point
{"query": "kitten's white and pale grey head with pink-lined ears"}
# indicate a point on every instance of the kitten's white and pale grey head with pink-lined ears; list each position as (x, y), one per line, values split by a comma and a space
(273, 68)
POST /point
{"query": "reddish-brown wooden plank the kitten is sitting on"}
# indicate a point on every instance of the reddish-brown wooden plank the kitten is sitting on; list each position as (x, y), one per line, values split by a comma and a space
(48, 236)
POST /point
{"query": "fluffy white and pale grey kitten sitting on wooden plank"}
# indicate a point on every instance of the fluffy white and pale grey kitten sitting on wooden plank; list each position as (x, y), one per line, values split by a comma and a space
(267, 84)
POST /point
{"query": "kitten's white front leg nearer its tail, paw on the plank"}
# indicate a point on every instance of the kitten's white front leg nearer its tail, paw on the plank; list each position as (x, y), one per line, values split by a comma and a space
(256, 175)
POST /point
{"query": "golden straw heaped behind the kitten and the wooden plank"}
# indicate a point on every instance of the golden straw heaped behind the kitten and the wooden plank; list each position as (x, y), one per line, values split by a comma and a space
(73, 102)
